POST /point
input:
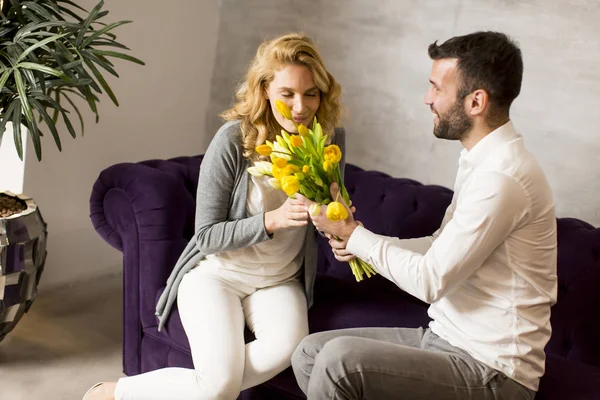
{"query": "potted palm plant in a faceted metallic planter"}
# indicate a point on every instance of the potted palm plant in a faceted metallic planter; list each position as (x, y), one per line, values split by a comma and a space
(54, 55)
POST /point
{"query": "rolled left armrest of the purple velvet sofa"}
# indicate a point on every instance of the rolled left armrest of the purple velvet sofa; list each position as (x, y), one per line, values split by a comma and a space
(146, 210)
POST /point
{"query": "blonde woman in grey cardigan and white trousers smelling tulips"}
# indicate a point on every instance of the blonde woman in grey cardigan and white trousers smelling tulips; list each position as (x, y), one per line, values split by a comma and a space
(252, 260)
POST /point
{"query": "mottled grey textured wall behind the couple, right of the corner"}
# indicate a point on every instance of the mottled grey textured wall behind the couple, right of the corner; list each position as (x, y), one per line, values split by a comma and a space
(378, 52)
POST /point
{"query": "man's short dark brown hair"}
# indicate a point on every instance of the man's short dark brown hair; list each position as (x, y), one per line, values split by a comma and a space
(486, 60)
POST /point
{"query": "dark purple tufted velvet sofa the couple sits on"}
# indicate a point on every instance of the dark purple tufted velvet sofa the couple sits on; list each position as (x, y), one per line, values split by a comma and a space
(146, 210)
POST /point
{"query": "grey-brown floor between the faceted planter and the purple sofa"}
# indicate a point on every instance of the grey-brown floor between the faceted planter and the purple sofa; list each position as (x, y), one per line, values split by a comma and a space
(69, 340)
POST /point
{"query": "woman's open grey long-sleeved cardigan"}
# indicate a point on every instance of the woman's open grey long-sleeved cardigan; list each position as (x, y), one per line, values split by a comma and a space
(221, 220)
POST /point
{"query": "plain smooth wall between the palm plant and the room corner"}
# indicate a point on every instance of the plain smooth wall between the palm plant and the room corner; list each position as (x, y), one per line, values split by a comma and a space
(162, 111)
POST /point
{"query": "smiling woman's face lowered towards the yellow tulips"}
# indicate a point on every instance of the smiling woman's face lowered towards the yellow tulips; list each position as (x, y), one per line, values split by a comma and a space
(295, 86)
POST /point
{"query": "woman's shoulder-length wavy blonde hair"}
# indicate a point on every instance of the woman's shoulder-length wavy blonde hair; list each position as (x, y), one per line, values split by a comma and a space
(258, 123)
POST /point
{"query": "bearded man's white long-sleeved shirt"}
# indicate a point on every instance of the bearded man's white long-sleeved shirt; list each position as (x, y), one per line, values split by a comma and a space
(489, 272)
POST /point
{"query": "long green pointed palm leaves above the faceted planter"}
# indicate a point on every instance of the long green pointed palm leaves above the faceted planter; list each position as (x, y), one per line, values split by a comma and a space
(50, 51)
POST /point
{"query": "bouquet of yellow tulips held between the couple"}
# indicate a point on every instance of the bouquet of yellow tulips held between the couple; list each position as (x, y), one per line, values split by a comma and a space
(304, 164)
